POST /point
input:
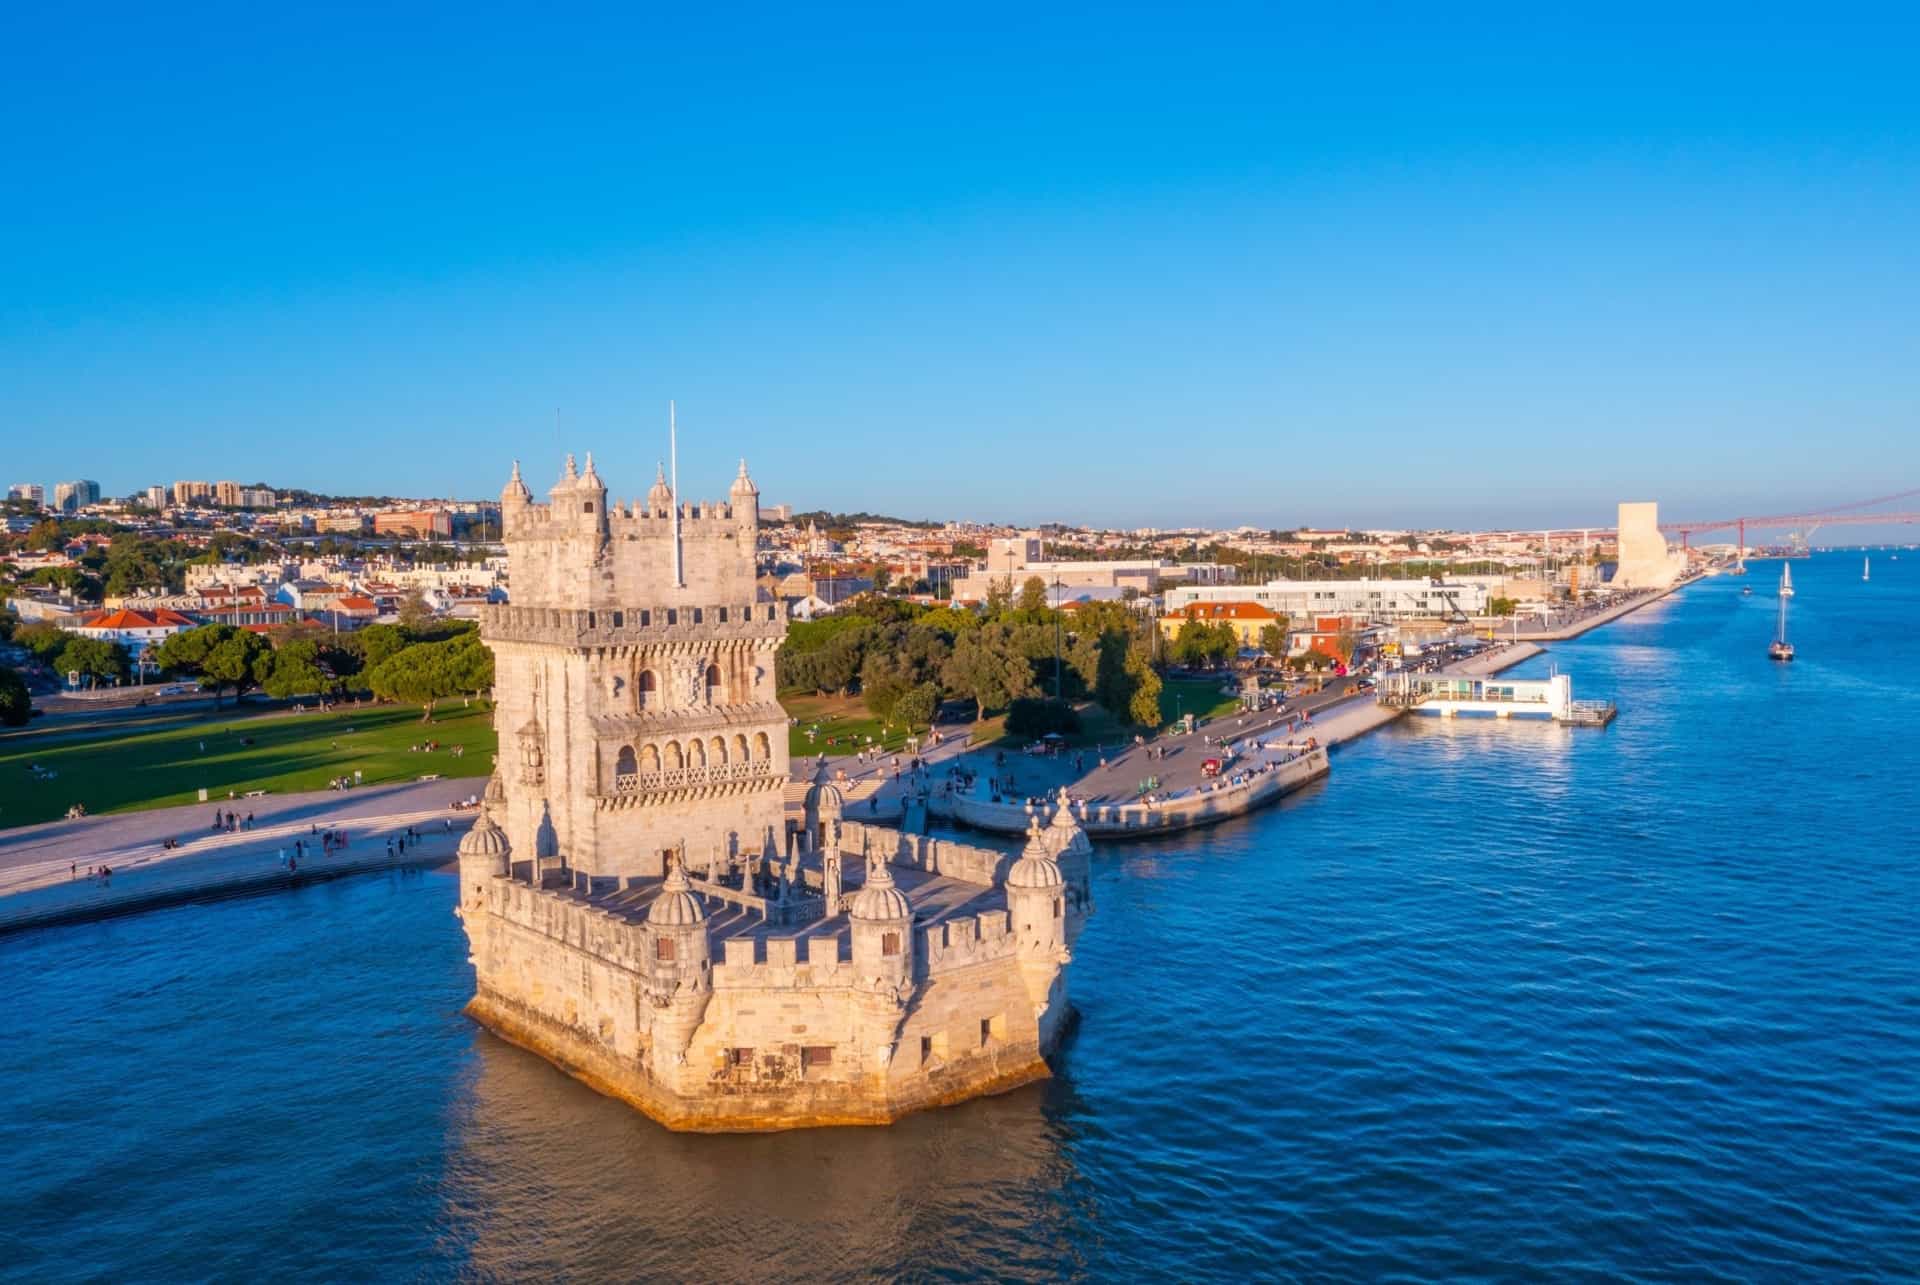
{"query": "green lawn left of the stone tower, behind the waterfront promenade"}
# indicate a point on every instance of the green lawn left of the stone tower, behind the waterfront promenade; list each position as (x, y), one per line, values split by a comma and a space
(141, 769)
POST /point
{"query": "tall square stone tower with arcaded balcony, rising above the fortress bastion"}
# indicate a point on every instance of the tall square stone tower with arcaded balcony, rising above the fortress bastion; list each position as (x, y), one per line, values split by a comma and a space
(636, 683)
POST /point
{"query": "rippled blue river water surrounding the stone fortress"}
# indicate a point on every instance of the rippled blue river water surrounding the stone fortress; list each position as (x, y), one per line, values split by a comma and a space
(1500, 1002)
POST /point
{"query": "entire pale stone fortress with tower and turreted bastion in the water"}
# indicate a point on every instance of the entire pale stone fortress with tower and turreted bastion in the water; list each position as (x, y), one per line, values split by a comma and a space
(644, 913)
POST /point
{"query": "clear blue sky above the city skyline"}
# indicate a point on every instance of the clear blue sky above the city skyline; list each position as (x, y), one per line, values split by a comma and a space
(1195, 264)
